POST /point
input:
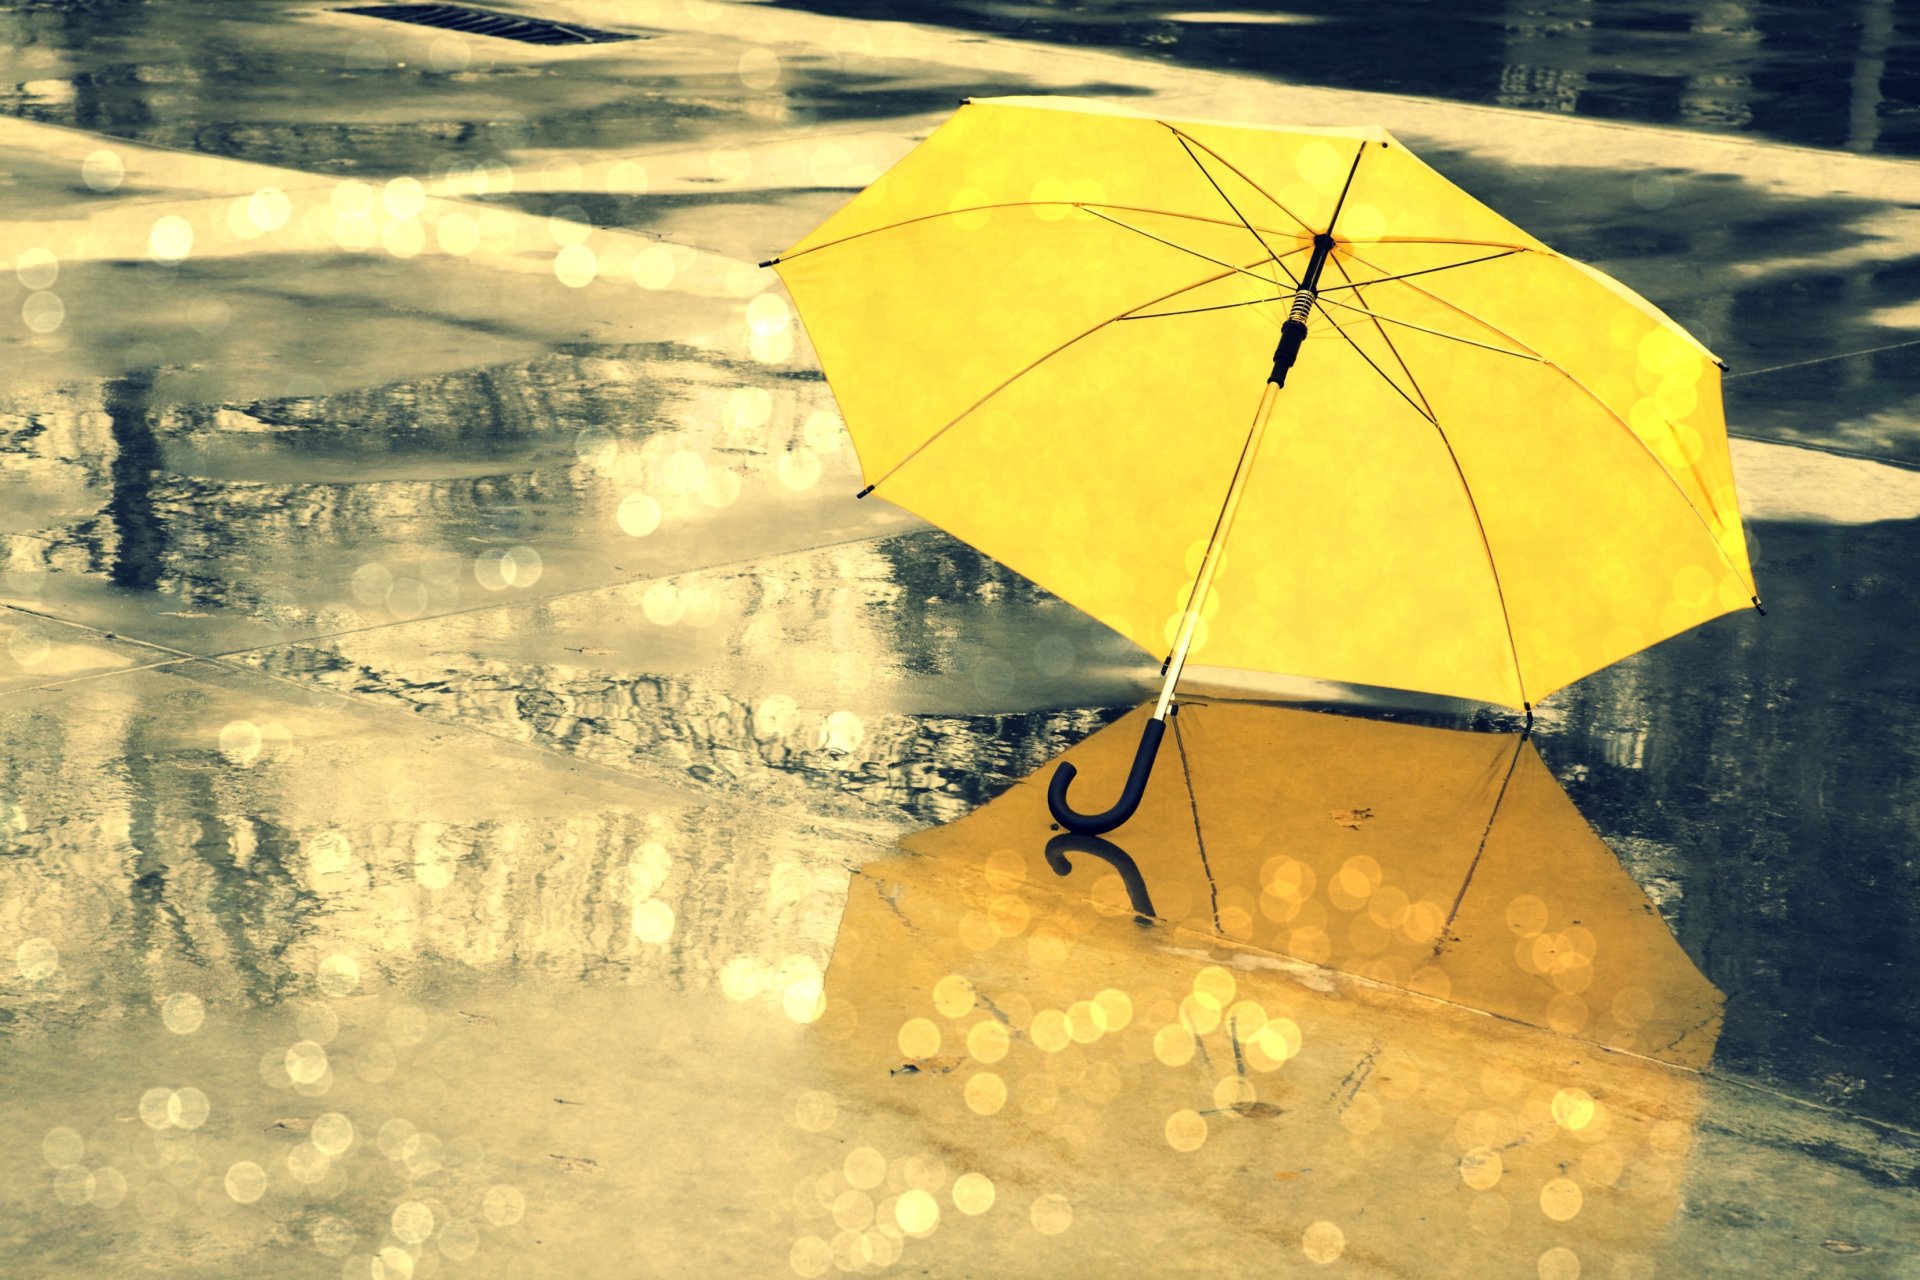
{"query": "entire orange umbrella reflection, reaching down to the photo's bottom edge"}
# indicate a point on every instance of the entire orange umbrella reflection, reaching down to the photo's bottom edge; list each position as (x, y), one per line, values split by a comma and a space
(1138, 1079)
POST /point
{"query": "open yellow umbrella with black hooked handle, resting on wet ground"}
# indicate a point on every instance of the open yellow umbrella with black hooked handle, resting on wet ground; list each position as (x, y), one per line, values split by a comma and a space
(1059, 329)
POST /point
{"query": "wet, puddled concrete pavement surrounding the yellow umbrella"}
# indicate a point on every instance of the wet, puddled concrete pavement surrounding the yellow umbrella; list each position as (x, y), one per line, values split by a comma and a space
(446, 684)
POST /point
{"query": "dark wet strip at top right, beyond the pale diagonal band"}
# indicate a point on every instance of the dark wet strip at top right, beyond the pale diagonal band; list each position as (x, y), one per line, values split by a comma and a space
(1833, 76)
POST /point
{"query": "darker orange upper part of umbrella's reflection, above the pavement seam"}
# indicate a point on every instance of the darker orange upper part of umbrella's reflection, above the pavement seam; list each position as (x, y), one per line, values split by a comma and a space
(1443, 863)
